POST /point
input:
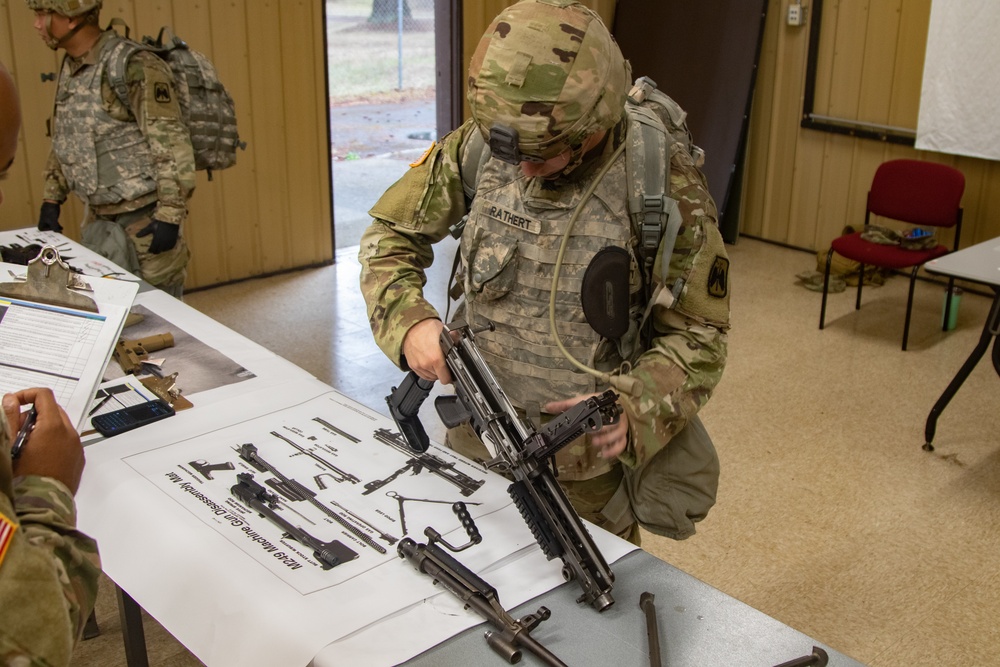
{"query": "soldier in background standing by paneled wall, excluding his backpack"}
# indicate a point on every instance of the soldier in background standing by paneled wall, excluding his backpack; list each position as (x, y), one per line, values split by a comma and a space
(131, 163)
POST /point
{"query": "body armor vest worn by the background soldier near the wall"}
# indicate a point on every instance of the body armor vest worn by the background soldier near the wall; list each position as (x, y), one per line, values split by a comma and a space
(105, 160)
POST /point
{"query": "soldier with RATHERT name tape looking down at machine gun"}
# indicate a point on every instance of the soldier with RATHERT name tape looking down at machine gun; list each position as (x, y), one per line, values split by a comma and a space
(590, 243)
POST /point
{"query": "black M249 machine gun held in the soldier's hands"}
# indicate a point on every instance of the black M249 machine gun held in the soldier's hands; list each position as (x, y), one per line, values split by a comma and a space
(520, 451)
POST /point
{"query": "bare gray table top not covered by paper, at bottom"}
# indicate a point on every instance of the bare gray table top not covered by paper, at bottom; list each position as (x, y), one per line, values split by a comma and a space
(699, 625)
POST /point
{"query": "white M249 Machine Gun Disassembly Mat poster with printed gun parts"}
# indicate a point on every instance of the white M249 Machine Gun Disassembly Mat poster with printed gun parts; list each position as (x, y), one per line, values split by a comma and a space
(318, 493)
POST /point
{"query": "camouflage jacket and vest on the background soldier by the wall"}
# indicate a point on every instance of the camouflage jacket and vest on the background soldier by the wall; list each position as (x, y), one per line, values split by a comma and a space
(120, 158)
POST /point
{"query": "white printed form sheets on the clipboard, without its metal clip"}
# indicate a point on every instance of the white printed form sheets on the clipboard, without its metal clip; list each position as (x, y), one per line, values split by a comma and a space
(64, 349)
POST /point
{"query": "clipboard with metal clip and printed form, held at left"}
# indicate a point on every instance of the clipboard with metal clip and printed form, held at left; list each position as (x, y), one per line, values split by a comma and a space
(58, 329)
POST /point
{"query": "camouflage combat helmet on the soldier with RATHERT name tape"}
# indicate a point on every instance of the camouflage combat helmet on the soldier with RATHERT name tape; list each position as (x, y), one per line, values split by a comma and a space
(546, 75)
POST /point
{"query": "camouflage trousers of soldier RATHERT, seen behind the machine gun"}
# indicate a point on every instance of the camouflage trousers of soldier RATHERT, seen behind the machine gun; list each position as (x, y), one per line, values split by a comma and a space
(597, 500)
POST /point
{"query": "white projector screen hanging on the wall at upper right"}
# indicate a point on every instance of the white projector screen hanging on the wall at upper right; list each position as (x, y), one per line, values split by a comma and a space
(960, 97)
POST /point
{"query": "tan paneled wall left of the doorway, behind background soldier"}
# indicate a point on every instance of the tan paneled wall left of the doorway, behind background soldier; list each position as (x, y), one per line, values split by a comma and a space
(270, 212)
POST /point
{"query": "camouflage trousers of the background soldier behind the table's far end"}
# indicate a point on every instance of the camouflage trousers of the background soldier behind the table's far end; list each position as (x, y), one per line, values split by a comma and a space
(114, 237)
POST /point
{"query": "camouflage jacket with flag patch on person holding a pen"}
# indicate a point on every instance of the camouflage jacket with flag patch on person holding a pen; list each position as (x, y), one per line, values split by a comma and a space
(49, 572)
